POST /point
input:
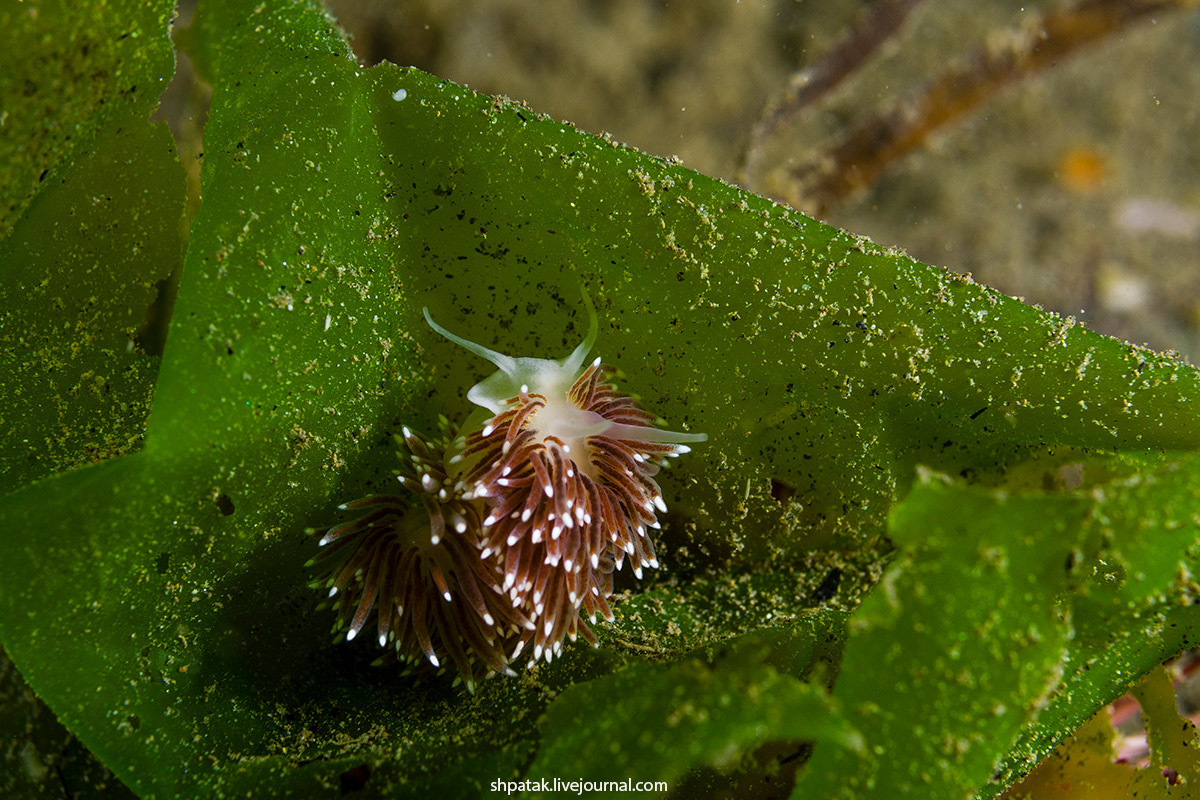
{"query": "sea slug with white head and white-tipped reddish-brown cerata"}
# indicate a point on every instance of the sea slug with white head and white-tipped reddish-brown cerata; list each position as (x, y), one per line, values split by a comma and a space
(524, 518)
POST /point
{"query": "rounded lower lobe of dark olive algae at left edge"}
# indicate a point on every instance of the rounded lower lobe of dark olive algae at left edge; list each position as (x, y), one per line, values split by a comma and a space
(80, 273)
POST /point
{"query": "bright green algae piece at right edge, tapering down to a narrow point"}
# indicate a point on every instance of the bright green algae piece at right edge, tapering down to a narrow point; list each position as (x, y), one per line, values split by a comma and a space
(1135, 599)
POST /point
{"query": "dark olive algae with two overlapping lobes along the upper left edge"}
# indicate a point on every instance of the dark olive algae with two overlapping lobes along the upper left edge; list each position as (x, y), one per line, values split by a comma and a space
(91, 213)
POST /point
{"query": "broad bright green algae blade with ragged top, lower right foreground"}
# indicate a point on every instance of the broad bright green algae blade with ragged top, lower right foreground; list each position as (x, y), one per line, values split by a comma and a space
(949, 660)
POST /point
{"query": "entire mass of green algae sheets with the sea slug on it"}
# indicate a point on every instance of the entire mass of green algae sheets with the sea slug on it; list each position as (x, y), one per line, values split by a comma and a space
(931, 533)
